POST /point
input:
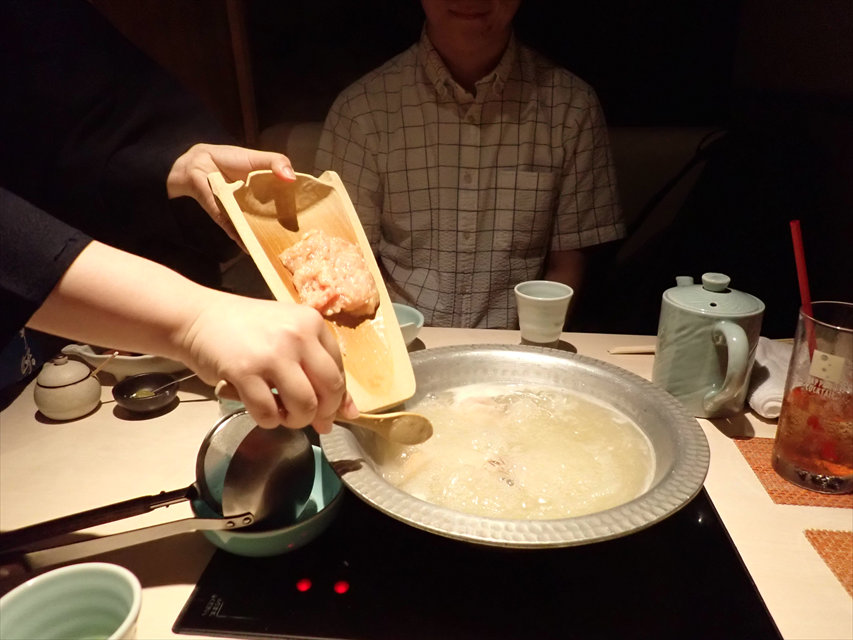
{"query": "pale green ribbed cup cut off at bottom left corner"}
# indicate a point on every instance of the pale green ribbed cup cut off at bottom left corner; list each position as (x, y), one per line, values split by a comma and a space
(87, 600)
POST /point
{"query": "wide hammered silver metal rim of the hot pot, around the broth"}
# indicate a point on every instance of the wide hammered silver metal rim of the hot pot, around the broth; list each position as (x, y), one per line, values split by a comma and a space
(679, 445)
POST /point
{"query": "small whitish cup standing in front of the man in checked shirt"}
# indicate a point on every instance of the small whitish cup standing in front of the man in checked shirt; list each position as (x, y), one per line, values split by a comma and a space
(542, 308)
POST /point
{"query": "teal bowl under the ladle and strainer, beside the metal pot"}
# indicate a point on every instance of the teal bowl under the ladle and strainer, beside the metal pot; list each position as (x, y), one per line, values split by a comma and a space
(319, 512)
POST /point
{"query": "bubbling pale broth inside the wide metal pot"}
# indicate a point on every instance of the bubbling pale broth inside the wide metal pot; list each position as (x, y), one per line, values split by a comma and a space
(521, 452)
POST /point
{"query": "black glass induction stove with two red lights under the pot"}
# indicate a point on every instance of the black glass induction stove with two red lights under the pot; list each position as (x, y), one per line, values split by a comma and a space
(370, 577)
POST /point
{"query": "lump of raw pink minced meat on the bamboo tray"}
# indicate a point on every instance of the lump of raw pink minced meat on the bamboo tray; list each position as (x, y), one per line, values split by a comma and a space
(330, 274)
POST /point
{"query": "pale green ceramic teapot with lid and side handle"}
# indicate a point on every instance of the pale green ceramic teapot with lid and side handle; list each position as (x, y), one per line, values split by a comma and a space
(707, 336)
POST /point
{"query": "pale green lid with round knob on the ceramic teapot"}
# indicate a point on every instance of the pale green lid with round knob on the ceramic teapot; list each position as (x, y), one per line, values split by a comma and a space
(712, 297)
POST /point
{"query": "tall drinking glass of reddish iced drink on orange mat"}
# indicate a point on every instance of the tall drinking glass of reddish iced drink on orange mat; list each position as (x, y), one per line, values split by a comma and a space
(814, 438)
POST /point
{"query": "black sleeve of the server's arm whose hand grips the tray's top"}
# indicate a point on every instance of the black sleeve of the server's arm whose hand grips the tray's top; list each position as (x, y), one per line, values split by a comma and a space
(90, 127)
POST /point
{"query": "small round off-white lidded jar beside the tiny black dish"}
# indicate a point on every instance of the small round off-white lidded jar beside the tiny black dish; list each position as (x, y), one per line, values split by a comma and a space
(66, 389)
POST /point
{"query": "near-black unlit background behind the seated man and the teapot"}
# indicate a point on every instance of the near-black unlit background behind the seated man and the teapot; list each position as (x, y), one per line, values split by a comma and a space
(776, 75)
